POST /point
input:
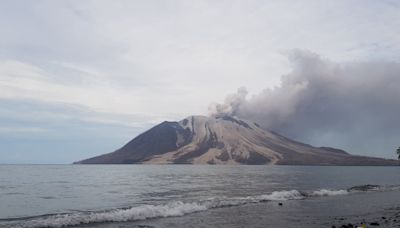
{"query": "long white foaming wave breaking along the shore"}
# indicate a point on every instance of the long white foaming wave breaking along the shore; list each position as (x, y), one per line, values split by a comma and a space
(177, 208)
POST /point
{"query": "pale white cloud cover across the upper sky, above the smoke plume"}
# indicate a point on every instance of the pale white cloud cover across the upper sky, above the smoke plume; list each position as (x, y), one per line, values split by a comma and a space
(146, 61)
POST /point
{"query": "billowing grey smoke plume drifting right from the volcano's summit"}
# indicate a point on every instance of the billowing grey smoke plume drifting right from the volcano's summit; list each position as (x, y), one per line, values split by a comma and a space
(352, 105)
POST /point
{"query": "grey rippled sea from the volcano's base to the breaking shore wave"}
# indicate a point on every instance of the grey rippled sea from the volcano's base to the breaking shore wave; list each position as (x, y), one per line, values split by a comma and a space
(57, 195)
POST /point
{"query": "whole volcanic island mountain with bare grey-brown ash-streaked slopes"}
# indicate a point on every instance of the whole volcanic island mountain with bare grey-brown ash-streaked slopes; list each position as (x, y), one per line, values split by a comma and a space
(224, 140)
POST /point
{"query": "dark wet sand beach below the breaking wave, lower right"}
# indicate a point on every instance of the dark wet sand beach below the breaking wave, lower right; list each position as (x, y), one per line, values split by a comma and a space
(381, 208)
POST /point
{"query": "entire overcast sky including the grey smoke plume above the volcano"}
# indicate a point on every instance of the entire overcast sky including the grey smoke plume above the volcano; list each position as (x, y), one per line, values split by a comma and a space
(81, 78)
